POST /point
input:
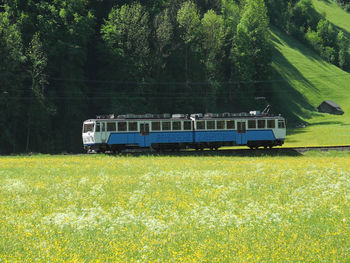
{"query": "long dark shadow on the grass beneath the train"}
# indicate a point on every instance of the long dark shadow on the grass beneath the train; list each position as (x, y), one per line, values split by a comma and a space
(220, 153)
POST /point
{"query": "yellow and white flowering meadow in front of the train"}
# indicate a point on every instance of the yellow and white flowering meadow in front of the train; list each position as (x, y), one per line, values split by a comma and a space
(175, 208)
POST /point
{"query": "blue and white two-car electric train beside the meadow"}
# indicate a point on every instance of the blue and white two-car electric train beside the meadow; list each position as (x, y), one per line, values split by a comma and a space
(183, 131)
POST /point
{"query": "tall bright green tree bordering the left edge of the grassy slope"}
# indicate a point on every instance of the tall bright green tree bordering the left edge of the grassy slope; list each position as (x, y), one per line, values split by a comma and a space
(252, 49)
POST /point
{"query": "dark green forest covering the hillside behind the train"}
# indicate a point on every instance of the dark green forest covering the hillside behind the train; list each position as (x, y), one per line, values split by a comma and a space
(62, 62)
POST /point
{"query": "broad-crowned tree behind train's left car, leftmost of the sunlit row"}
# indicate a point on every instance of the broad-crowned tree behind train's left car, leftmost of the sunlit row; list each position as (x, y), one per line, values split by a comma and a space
(126, 34)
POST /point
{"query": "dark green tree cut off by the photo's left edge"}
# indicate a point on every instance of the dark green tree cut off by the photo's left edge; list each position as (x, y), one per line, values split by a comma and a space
(12, 84)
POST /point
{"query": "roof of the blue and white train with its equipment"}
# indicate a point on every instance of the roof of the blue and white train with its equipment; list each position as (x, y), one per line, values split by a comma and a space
(167, 116)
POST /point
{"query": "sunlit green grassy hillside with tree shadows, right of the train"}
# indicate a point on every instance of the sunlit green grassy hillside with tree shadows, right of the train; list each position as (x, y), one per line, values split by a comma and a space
(308, 80)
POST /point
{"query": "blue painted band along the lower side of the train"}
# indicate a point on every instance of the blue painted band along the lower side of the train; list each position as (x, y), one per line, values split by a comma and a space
(190, 137)
